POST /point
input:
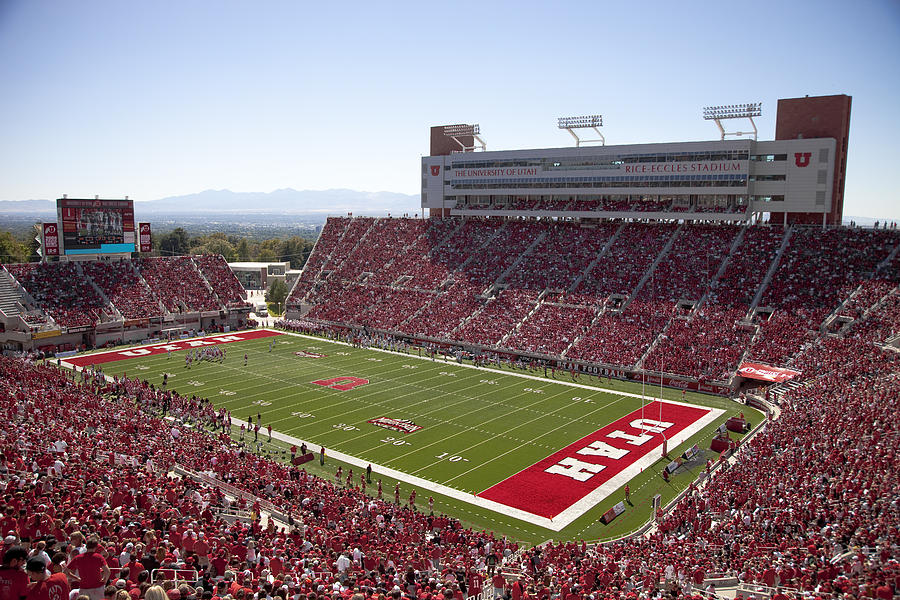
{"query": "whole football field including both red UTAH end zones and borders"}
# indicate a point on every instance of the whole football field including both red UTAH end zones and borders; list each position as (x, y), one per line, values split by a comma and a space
(522, 453)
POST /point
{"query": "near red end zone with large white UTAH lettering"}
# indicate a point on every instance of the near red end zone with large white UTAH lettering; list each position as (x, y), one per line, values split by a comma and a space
(552, 485)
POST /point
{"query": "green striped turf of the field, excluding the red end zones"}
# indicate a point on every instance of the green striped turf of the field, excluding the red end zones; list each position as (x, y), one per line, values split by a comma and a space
(478, 426)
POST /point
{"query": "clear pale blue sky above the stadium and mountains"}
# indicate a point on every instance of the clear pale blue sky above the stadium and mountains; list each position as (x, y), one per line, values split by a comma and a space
(154, 99)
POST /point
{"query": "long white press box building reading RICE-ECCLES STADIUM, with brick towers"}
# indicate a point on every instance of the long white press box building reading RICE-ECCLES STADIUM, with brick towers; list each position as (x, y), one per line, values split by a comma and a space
(796, 178)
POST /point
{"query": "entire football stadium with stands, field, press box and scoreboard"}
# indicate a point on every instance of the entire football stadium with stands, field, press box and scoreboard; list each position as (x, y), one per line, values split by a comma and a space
(599, 371)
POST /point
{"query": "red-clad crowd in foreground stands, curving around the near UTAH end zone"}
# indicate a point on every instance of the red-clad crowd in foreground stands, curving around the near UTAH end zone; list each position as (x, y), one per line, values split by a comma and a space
(809, 507)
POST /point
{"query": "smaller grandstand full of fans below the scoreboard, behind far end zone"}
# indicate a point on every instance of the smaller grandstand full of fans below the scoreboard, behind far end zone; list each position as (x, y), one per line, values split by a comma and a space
(85, 303)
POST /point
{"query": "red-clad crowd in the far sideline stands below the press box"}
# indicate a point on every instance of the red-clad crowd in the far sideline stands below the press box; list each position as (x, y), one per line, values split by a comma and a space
(553, 287)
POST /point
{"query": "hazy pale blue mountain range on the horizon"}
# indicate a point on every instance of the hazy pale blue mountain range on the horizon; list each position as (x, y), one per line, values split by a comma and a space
(282, 201)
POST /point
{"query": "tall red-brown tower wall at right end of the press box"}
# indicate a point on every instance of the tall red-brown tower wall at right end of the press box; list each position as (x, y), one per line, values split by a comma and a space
(818, 117)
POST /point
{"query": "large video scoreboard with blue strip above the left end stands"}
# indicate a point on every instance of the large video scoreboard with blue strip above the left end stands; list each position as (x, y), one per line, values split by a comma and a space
(95, 226)
